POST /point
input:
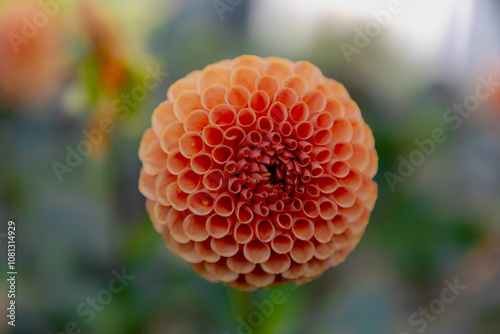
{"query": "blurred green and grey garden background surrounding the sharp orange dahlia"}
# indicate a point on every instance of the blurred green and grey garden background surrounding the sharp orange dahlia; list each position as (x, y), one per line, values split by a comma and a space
(70, 67)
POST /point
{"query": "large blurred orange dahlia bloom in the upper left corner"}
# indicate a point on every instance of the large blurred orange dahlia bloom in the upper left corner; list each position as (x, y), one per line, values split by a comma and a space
(32, 63)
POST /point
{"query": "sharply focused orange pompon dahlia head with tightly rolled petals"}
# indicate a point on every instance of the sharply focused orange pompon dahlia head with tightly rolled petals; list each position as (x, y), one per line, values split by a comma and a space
(258, 172)
